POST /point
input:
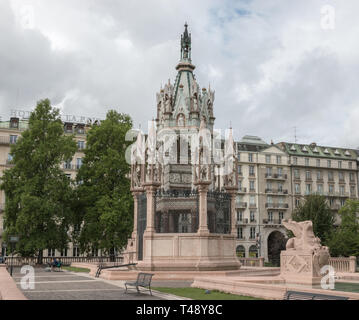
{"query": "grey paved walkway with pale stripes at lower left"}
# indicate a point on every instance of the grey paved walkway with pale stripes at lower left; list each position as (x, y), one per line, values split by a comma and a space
(80, 286)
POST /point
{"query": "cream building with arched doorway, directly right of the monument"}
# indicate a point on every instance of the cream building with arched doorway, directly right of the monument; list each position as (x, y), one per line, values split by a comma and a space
(263, 199)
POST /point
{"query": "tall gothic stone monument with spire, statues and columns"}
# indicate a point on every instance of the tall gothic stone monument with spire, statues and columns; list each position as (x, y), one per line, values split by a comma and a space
(183, 183)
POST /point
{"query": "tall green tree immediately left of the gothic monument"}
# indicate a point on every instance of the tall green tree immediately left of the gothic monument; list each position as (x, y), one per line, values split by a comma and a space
(105, 204)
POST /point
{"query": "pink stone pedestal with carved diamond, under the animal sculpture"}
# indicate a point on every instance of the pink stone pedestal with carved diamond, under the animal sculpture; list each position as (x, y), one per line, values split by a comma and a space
(303, 266)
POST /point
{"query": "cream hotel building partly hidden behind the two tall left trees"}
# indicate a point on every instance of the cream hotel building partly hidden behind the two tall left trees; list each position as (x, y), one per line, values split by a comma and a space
(10, 132)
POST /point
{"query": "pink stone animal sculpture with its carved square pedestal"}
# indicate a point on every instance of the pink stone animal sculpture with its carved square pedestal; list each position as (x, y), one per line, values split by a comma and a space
(304, 255)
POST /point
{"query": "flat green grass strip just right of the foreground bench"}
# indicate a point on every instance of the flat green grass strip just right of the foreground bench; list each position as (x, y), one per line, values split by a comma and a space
(199, 294)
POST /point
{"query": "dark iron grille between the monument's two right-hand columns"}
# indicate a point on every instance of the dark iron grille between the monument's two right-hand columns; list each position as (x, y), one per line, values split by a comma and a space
(219, 212)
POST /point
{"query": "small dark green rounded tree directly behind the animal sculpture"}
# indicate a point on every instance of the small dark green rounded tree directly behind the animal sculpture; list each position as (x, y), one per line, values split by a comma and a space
(315, 208)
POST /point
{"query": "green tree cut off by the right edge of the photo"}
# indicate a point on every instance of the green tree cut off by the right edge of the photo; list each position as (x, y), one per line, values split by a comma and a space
(345, 241)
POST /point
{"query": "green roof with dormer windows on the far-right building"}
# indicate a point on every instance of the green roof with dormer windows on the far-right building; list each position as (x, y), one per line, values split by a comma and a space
(313, 150)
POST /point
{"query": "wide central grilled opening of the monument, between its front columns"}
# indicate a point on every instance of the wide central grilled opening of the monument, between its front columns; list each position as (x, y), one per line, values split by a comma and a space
(176, 211)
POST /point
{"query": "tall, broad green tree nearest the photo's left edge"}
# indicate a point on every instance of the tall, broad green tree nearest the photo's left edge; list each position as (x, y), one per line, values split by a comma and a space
(37, 191)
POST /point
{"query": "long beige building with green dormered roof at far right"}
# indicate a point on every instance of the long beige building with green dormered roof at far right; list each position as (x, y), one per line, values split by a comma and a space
(329, 171)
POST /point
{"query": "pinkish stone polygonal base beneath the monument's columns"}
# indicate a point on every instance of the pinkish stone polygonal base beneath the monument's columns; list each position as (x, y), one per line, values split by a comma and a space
(188, 252)
